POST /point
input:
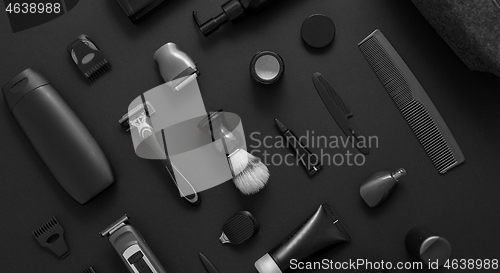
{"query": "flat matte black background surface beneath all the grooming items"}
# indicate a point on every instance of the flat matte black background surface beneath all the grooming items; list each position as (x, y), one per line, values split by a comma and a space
(461, 205)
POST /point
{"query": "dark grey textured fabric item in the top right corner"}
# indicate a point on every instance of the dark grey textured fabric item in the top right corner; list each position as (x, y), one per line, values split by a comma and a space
(470, 27)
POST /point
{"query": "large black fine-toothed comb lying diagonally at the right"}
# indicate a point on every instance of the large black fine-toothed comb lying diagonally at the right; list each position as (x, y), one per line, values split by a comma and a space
(413, 102)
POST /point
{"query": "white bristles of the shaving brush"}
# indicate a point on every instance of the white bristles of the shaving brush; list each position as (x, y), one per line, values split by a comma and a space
(251, 175)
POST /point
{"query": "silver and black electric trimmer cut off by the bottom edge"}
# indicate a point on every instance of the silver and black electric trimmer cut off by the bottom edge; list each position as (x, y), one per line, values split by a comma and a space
(132, 247)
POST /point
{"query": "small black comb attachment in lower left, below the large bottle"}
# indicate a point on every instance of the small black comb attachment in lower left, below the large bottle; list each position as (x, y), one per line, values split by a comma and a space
(51, 235)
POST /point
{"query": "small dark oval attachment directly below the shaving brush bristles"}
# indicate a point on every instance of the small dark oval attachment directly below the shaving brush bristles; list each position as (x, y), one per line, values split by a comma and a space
(239, 228)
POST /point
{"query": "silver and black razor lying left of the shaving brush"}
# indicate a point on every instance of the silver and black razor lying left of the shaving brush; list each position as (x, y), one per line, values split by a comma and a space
(139, 118)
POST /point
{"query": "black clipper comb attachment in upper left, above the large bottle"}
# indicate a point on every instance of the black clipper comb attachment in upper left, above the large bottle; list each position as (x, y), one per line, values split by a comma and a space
(88, 58)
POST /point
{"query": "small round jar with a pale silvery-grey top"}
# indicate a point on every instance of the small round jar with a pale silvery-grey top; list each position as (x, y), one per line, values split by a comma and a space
(267, 67)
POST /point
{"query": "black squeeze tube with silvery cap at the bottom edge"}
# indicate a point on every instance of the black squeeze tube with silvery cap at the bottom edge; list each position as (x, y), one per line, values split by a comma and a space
(321, 231)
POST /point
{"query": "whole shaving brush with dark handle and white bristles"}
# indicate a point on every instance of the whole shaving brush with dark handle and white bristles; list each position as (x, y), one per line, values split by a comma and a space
(250, 175)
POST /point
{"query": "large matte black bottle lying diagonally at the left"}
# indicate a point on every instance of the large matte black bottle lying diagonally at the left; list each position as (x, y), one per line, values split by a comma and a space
(59, 137)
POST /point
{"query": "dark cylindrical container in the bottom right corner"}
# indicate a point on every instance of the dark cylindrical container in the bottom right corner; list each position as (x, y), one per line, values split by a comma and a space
(427, 246)
